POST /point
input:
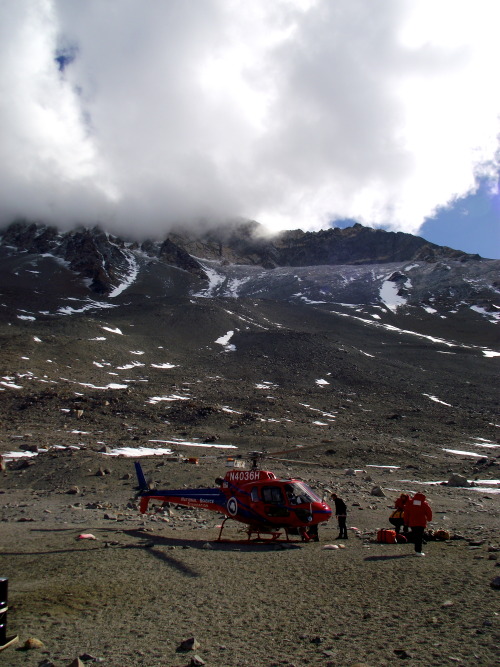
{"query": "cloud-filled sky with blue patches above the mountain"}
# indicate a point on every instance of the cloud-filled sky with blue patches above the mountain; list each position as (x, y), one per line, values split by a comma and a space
(295, 113)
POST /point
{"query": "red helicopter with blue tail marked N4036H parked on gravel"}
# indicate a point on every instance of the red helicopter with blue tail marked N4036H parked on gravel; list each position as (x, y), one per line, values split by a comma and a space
(254, 497)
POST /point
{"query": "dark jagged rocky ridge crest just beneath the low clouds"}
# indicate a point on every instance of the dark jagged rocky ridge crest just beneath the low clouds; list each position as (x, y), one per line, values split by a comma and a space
(95, 254)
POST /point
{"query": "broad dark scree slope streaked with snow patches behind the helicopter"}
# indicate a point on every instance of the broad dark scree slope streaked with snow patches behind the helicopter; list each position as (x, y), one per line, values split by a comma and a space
(393, 363)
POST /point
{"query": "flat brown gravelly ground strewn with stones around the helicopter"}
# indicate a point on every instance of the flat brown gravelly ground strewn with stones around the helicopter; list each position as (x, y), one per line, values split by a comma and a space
(144, 585)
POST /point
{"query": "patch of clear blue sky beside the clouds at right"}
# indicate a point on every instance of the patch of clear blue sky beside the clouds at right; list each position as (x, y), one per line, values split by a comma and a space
(471, 223)
